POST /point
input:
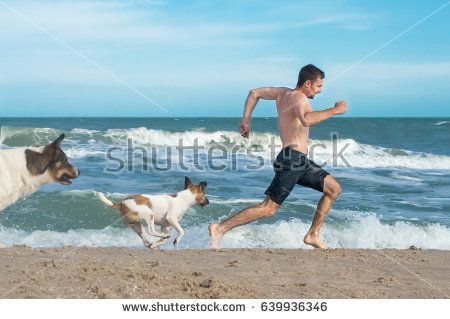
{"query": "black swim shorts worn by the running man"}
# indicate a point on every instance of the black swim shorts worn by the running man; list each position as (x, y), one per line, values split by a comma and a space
(293, 167)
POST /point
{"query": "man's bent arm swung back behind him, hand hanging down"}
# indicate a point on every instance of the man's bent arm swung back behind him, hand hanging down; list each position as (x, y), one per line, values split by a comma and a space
(266, 93)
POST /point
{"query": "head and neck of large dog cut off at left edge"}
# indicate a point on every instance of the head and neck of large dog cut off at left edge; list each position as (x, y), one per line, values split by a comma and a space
(23, 170)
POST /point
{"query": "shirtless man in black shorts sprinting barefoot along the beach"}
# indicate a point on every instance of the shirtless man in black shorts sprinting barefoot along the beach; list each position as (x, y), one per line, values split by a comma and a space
(291, 166)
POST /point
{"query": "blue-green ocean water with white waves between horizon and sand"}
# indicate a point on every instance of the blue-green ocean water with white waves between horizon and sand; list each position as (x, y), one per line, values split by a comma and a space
(394, 173)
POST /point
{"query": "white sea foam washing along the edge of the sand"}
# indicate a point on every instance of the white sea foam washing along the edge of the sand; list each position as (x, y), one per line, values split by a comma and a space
(365, 231)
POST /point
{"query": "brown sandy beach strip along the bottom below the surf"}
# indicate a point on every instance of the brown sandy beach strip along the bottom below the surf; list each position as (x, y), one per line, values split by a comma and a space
(242, 273)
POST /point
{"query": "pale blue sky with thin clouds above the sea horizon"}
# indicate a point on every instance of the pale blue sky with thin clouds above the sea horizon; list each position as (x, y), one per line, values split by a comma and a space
(200, 58)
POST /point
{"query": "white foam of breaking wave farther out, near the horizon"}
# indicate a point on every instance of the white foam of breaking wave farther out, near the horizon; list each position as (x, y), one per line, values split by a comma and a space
(339, 153)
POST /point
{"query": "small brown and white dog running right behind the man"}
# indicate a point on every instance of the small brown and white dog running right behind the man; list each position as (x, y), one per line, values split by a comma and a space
(163, 210)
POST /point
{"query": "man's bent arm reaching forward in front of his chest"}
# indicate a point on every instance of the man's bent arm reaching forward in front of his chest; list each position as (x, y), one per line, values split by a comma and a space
(308, 117)
